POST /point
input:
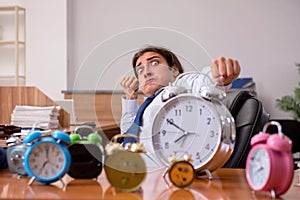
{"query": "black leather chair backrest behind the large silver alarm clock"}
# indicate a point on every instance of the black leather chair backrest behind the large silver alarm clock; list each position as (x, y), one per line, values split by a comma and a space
(250, 117)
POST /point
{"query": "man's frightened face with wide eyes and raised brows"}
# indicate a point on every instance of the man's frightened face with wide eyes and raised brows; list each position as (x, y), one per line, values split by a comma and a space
(153, 72)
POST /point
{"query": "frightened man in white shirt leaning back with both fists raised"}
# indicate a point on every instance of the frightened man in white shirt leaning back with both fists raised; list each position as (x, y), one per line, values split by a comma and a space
(155, 68)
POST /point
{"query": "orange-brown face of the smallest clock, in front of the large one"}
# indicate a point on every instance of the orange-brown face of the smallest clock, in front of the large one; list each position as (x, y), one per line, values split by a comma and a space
(181, 174)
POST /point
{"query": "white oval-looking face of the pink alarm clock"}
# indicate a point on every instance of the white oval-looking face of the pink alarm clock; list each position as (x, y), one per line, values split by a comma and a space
(259, 167)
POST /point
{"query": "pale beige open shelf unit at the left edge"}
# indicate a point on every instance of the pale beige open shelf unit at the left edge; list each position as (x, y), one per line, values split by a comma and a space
(13, 42)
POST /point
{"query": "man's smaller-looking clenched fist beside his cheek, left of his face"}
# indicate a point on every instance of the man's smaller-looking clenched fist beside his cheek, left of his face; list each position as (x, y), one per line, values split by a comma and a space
(130, 86)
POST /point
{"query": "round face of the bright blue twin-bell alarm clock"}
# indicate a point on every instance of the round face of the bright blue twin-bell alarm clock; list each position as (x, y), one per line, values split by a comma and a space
(46, 161)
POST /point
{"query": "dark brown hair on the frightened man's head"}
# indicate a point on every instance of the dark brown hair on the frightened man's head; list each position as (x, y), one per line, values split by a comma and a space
(170, 57)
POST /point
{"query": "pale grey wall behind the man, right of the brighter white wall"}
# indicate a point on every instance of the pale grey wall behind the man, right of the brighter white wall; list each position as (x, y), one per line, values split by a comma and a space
(263, 35)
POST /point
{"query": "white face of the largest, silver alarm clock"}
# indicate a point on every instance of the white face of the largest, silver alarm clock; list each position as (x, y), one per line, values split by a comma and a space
(187, 124)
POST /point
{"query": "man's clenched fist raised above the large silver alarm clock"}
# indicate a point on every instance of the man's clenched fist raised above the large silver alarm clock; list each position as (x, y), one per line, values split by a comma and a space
(224, 70)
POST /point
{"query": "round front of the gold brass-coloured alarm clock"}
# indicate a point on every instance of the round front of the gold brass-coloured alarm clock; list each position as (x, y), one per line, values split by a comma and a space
(125, 170)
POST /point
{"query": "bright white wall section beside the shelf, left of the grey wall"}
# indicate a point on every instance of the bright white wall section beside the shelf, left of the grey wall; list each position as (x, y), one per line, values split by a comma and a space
(46, 44)
